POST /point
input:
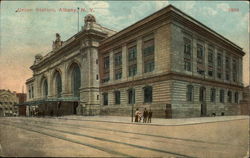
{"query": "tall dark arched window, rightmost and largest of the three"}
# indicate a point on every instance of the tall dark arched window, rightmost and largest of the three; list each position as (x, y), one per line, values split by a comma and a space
(76, 80)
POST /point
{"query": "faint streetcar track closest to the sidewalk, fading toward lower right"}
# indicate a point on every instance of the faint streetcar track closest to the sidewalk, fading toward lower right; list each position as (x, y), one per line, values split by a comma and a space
(144, 134)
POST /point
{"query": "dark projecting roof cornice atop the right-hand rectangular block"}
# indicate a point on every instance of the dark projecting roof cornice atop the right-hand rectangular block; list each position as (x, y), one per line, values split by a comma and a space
(176, 15)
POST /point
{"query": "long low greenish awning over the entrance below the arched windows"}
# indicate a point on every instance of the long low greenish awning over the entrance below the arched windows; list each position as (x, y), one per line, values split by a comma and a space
(42, 101)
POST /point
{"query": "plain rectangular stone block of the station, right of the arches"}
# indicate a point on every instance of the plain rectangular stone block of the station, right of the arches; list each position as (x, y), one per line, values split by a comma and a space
(171, 33)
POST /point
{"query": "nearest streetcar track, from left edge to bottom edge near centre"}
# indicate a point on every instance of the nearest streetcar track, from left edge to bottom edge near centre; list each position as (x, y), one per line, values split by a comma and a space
(71, 140)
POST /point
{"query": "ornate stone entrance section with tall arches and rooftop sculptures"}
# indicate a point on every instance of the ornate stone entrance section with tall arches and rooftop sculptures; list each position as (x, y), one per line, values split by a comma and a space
(70, 72)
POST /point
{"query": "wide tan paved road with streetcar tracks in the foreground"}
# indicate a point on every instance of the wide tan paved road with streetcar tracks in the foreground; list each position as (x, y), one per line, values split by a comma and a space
(24, 137)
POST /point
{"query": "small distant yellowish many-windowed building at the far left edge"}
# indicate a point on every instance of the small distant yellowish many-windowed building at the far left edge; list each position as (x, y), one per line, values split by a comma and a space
(8, 100)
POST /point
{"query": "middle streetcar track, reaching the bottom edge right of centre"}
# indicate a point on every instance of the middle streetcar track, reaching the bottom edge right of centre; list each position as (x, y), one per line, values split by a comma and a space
(112, 141)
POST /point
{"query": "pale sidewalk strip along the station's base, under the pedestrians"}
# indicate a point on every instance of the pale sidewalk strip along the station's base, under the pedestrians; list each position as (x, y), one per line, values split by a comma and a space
(157, 121)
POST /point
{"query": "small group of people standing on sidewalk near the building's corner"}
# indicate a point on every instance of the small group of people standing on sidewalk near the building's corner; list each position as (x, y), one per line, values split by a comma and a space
(146, 115)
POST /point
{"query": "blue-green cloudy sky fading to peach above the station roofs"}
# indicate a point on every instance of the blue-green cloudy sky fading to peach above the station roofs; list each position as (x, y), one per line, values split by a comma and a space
(26, 30)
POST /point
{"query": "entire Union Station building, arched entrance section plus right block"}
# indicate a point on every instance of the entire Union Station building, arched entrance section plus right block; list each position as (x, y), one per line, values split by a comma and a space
(167, 62)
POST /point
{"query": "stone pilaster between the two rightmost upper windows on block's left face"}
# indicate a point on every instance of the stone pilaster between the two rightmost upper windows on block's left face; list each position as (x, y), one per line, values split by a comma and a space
(139, 56)
